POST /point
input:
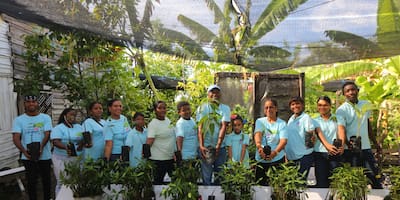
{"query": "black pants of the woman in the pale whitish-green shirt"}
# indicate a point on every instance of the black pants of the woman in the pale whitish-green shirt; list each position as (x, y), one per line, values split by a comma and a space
(161, 168)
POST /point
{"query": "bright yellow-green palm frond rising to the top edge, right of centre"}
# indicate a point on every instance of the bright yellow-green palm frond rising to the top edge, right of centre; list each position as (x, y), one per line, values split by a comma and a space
(276, 12)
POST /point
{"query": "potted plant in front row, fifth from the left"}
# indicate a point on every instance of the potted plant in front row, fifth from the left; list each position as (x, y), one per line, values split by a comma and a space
(286, 182)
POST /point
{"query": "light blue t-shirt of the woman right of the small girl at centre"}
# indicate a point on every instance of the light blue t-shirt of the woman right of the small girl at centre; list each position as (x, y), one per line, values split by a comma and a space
(271, 135)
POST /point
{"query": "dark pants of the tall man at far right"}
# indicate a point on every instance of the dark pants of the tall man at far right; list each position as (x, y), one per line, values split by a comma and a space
(367, 160)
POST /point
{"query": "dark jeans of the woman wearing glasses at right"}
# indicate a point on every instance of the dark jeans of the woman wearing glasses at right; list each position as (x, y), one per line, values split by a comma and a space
(324, 165)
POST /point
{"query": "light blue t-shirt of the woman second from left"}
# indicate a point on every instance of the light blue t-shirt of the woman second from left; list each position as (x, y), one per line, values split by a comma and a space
(66, 134)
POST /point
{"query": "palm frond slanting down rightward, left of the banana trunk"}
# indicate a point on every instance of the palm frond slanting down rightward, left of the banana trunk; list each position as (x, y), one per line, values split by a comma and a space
(203, 35)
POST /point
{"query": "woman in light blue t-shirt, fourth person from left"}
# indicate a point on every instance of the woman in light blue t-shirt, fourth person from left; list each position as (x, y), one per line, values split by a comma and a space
(115, 131)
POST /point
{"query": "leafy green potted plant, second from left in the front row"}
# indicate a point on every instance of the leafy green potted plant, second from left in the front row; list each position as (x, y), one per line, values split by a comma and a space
(136, 182)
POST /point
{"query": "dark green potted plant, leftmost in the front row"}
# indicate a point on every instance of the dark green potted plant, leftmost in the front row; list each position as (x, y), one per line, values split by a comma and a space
(86, 178)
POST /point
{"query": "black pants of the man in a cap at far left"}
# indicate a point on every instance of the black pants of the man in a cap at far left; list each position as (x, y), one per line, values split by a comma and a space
(33, 169)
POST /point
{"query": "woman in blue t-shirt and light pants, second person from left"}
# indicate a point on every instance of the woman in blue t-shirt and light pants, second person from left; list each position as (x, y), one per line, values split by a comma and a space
(67, 141)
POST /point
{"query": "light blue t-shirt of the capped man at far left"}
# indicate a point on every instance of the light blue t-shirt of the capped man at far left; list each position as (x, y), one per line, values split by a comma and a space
(32, 129)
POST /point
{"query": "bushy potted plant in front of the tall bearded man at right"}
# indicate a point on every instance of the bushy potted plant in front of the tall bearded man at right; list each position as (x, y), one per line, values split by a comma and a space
(348, 183)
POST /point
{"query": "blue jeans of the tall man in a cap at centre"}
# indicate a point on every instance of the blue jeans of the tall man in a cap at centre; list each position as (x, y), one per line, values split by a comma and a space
(208, 169)
